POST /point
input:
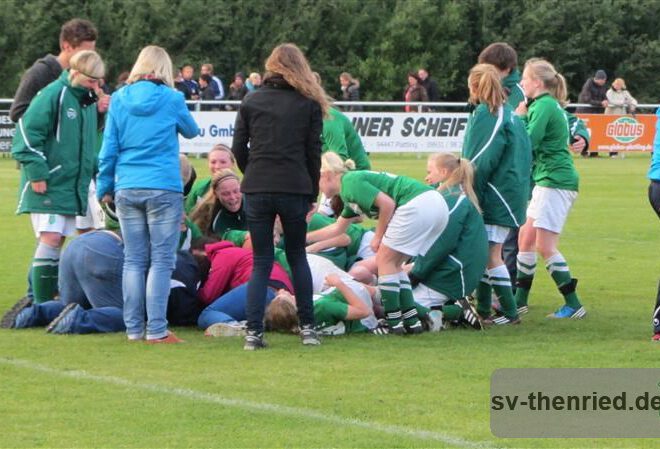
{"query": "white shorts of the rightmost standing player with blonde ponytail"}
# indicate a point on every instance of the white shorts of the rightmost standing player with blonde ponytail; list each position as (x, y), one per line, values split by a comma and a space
(550, 207)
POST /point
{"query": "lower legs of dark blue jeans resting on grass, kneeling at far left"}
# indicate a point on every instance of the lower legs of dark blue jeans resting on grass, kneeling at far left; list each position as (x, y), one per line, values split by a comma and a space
(101, 320)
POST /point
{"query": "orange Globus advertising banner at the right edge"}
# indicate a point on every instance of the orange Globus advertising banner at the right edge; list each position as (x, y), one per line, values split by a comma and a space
(620, 132)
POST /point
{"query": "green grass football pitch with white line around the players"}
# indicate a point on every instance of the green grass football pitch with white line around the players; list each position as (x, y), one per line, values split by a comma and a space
(357, 391)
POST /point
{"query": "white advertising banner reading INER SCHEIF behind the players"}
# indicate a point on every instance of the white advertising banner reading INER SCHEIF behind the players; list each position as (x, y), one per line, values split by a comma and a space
(380, 131)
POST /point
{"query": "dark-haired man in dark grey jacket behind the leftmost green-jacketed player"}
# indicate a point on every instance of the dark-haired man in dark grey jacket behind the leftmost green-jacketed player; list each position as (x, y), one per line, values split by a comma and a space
(75, 35)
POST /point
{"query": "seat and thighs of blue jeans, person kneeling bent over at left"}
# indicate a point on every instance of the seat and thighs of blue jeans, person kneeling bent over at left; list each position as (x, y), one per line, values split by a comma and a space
(91, 271)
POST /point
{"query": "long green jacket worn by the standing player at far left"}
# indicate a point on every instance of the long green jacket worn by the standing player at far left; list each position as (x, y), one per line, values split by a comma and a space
(55, 141)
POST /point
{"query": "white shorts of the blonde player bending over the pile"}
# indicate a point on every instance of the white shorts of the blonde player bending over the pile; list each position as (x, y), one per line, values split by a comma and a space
(416, 225)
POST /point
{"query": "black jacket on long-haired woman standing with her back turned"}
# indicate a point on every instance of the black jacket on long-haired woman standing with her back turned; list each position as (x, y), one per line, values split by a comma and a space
(283, 129)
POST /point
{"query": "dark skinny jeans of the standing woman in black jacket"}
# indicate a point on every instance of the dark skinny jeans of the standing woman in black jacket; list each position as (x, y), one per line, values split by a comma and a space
(261, 210)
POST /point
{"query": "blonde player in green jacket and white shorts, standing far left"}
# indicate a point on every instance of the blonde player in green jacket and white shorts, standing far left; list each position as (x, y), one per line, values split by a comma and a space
(55, 145)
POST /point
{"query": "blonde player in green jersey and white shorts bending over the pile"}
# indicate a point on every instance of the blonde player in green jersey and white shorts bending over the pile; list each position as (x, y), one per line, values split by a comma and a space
(410, 218)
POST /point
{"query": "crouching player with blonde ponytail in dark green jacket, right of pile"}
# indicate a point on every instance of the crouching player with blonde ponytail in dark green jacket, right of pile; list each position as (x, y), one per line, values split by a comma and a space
(450, 271)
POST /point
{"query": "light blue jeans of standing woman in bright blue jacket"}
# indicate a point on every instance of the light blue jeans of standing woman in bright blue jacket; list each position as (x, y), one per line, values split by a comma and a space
(150, 221)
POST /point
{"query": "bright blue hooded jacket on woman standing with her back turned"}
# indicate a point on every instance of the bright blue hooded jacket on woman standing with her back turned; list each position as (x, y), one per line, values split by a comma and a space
(140, 143)
